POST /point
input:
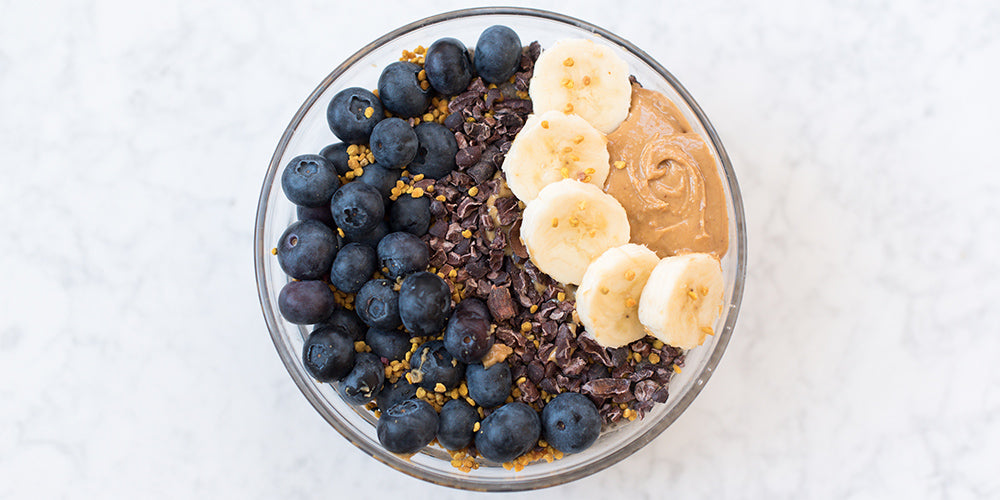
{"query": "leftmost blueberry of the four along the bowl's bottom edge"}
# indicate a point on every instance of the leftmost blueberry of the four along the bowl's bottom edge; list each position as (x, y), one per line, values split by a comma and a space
(407, 426)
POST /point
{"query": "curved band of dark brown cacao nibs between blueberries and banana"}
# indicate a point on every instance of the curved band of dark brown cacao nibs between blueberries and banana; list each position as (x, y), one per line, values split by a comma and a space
(474, 241)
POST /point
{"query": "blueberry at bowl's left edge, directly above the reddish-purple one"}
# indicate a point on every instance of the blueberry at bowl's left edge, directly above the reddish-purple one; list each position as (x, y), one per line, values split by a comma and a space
(307, 249)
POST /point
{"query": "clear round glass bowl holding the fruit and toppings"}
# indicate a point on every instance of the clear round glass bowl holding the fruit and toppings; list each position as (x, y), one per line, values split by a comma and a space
(308, 133)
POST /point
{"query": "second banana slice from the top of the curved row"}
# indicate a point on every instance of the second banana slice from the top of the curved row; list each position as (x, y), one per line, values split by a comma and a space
(551, 147)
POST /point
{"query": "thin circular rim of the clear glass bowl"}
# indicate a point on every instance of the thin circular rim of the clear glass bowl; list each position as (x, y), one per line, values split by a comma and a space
(290, 360)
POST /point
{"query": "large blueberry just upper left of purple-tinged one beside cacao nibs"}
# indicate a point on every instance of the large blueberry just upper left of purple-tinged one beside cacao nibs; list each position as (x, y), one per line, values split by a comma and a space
(424, 303)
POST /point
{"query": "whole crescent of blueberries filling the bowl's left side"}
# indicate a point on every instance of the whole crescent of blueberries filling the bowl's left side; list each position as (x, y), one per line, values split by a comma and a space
(357, 234)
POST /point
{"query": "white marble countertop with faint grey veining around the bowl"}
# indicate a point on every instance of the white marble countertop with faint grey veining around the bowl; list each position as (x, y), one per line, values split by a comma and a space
(134, 360)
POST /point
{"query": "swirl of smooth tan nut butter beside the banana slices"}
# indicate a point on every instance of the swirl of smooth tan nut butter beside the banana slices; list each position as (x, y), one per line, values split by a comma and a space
(669, 183)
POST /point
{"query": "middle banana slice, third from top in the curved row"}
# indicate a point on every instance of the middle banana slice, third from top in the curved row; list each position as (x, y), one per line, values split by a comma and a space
(569, 225)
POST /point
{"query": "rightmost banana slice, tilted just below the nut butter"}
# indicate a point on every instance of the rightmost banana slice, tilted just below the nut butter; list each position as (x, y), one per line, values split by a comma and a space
(682, 299)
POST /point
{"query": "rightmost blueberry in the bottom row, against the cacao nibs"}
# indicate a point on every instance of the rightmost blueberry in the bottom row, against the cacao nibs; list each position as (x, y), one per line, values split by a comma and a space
(570, 422)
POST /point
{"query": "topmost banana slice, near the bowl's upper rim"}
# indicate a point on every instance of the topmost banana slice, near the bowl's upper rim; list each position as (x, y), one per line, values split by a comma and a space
(582, 77)
